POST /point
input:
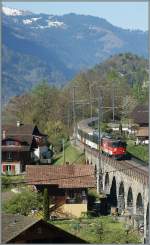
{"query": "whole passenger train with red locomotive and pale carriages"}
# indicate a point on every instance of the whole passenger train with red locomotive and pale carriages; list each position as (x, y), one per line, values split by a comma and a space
(115, 148)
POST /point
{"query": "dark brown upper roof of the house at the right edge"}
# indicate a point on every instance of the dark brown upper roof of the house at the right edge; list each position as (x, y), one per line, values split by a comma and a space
(140, 114)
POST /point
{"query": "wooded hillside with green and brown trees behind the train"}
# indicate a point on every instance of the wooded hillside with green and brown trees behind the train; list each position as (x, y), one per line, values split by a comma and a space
(51, 108)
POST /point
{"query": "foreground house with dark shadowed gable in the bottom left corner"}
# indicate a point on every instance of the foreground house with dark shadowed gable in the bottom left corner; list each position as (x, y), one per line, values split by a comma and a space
(26, 229)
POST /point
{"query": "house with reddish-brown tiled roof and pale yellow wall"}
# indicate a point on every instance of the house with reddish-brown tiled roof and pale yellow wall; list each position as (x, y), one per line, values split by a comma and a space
(67, 186)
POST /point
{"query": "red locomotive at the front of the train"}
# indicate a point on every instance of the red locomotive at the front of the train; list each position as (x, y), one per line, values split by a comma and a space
(113, 147)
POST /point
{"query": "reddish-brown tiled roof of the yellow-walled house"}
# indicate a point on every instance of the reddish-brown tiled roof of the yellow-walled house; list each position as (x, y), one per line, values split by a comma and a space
(65, 176)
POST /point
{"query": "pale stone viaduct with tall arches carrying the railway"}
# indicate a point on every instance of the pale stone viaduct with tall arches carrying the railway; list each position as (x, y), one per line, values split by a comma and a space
(127, 183)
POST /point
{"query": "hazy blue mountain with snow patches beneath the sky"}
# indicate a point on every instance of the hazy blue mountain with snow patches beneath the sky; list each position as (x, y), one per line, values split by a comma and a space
(38, 47)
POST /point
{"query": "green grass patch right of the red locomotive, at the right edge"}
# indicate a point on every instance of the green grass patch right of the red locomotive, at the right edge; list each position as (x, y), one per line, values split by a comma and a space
(139, 151)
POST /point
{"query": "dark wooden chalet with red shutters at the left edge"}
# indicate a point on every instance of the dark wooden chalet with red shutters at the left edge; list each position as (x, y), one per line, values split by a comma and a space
(23, 144)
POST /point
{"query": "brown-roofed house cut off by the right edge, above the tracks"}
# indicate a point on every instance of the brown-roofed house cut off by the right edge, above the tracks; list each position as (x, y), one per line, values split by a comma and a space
(140, 116)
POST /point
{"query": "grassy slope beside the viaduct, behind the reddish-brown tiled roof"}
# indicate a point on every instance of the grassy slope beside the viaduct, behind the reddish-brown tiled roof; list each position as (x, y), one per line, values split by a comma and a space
(72, 155)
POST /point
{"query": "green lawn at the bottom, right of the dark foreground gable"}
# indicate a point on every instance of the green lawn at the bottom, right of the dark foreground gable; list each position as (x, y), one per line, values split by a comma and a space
(99, 230)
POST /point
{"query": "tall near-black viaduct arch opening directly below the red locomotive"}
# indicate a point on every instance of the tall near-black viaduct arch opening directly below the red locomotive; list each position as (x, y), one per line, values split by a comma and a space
(113, 193)
